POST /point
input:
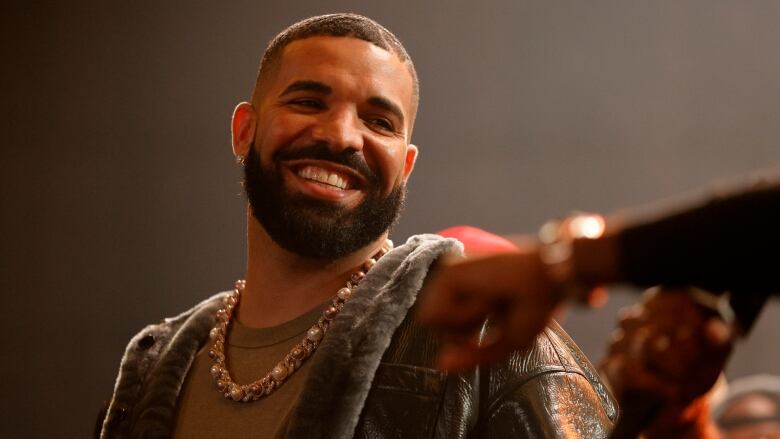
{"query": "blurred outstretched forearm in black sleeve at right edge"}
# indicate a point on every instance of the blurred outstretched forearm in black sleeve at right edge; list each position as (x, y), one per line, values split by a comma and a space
(727, 242)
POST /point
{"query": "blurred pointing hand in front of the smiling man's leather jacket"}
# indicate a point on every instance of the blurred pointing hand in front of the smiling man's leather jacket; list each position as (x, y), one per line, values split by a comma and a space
(511, 289)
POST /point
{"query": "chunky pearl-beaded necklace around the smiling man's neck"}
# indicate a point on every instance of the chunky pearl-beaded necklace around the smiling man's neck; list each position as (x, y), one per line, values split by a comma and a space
(295, 358)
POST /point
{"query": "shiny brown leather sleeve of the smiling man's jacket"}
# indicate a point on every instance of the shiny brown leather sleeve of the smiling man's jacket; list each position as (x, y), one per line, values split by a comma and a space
(547, 391)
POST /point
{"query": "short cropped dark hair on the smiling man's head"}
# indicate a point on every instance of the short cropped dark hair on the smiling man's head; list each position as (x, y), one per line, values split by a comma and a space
(337, 25)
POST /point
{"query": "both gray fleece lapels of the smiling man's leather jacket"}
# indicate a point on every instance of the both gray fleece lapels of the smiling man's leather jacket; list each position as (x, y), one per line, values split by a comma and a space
(341, 373)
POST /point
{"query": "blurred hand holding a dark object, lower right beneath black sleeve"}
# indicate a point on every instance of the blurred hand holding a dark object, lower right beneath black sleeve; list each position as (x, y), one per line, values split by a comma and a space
(671, 350)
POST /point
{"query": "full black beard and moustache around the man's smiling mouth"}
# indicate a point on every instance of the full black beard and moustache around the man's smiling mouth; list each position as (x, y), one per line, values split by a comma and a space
(316, 228)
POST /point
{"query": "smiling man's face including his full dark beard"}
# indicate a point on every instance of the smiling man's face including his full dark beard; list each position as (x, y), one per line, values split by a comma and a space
(327, 171)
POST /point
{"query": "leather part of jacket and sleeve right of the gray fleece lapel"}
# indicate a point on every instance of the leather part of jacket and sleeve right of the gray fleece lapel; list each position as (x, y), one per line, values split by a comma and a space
(547, 391)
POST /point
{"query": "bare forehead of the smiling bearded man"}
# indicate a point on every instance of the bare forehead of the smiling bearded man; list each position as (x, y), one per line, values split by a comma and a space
(349, 65)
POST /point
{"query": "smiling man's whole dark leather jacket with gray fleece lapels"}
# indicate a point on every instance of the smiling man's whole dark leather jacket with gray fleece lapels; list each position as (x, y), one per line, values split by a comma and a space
(372, 376)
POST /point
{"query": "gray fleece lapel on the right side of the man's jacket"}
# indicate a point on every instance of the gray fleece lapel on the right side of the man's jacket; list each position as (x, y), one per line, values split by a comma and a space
(344, 366)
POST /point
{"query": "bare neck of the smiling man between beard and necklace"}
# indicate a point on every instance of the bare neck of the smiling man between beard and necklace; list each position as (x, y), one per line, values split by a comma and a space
(281, 285)
